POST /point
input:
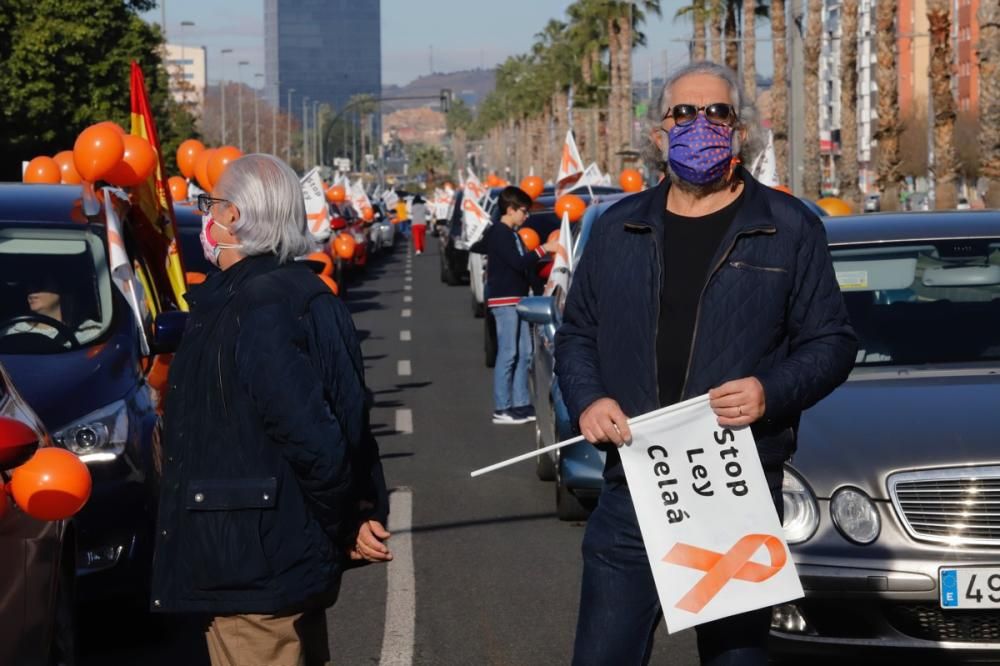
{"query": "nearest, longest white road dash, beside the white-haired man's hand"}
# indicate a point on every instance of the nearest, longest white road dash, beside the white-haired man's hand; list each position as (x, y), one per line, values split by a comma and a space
(401, 592)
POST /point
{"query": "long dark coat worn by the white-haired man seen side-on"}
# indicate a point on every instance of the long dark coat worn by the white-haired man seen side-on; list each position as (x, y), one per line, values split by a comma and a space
(269, 461)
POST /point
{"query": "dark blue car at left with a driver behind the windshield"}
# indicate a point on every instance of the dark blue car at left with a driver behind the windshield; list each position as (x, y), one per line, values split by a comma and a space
(80, 353)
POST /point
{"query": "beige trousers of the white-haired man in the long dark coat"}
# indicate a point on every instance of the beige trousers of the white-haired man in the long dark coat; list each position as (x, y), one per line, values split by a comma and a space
(269, 640)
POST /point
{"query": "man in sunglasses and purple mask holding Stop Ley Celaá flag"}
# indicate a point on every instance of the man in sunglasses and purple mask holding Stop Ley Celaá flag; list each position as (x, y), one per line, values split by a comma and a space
(707, 283)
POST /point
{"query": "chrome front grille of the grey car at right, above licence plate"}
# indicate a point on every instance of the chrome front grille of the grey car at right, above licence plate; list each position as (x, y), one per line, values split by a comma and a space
(954, 506)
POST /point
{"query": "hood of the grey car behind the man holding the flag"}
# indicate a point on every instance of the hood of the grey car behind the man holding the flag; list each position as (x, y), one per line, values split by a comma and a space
(888, 420)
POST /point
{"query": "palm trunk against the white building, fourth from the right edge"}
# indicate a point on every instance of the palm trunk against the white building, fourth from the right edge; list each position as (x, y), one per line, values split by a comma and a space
(848, 170)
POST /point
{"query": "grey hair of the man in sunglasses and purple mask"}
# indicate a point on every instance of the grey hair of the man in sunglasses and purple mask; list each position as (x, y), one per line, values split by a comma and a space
(746, 112)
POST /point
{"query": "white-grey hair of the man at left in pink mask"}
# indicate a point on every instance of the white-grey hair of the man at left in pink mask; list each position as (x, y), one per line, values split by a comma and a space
(272, 211)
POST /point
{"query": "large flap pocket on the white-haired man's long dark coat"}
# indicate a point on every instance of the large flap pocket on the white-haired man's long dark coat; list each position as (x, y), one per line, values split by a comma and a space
(224, 539)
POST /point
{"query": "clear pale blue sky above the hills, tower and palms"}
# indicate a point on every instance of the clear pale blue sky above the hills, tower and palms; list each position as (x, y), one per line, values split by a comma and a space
(459, 37)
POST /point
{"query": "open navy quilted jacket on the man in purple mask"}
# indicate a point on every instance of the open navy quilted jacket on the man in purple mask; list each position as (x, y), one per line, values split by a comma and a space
(771, 308)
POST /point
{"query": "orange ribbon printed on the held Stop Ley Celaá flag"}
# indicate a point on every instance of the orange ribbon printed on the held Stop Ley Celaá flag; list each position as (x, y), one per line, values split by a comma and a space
(721, 568)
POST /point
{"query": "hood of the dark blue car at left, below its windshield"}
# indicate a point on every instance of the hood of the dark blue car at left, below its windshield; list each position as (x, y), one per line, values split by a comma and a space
(62, 388)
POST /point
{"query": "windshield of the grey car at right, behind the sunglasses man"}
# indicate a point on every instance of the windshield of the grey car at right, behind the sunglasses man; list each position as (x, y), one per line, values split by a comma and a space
(926, 303)
